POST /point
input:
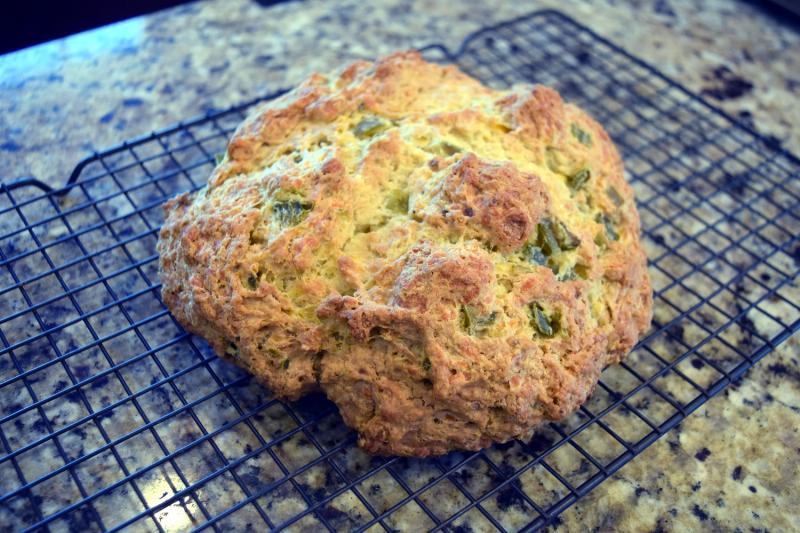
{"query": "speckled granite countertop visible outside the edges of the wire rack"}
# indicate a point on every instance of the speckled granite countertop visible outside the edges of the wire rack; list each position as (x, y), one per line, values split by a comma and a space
(734, 463)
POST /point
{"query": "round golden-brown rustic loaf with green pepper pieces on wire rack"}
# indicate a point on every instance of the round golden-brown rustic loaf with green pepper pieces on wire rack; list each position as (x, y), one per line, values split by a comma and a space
(451, 264)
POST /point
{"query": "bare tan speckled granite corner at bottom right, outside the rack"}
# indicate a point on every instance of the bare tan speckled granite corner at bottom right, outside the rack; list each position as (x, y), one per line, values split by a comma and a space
(732, 465)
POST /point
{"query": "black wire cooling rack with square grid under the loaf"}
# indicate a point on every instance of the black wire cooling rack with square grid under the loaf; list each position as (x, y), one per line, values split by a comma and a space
(113, 417)
